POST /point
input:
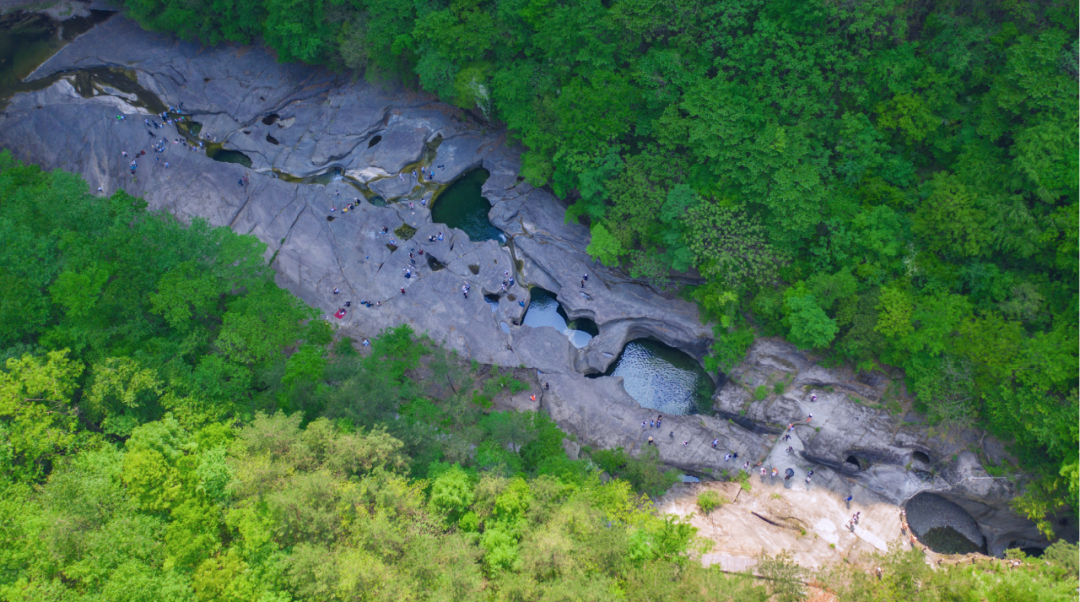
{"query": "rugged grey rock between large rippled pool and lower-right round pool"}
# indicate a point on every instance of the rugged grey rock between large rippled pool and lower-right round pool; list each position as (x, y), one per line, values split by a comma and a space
(855, 443)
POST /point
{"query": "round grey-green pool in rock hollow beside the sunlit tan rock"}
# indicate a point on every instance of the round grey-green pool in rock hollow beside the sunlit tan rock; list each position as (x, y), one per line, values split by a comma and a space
(943, 526)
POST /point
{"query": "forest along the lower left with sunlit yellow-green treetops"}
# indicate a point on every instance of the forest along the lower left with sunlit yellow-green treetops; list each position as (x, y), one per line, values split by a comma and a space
(177, 429)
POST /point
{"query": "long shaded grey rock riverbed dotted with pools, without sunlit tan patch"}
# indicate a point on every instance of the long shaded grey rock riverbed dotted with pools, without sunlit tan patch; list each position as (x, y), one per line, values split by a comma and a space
(316, 142)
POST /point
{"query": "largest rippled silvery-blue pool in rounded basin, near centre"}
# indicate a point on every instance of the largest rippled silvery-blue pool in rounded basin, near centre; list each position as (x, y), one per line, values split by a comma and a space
(664, 379)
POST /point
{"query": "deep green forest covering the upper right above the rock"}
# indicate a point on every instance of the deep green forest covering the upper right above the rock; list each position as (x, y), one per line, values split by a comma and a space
(885, 182)
